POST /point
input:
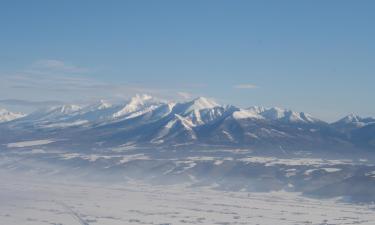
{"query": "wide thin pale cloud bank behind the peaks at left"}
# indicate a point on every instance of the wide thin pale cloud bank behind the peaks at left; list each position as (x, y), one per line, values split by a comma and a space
(46, 80)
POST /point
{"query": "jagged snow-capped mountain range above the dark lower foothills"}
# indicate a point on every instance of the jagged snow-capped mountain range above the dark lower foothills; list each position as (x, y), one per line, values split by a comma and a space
(147, 121)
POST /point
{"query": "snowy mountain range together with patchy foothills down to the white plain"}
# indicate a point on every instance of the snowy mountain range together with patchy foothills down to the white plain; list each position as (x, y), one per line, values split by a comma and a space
(197, 141)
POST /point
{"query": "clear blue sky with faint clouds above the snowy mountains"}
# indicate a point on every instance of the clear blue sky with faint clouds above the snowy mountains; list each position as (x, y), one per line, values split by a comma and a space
(311, 56)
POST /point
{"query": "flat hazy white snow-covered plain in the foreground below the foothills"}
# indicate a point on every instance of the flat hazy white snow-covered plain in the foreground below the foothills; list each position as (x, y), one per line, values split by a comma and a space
(36, 201)
